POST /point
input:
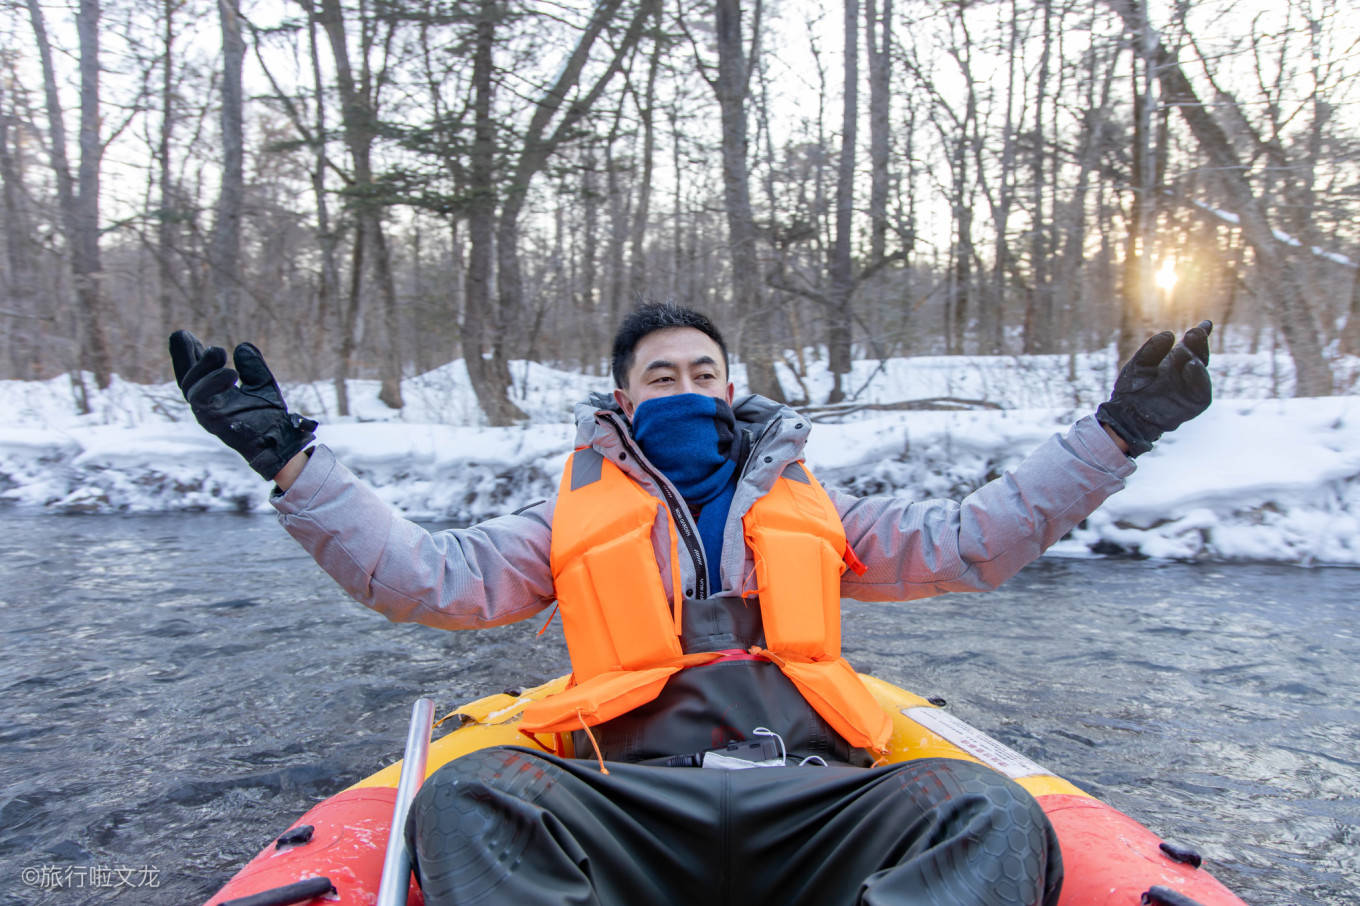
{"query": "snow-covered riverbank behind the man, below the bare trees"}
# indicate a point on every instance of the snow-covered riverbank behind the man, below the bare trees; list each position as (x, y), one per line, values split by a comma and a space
(1256, 478)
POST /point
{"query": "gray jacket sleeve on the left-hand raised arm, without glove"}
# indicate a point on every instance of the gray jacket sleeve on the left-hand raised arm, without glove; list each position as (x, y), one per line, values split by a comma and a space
(493, 573)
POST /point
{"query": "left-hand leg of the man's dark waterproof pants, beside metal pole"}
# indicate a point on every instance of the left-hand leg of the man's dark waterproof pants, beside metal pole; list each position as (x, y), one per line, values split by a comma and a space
(517, 828)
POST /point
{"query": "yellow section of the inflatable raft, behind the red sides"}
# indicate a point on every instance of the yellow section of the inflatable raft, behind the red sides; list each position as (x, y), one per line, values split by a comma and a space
(919, 731)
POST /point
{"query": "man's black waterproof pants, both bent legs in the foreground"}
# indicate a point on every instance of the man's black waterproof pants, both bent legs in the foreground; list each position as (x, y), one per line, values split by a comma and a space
(519, 828)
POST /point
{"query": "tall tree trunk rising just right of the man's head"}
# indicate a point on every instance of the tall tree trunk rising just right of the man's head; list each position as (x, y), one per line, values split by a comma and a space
(732, 88)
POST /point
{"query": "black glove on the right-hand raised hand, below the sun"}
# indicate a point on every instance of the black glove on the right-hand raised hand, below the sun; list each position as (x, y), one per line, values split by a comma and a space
(1161, 388)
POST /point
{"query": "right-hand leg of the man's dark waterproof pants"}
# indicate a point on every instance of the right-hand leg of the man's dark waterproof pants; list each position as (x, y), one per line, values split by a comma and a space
(925, 833)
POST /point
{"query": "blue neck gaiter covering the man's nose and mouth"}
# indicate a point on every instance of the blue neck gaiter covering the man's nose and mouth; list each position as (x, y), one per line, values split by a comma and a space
(692, 439)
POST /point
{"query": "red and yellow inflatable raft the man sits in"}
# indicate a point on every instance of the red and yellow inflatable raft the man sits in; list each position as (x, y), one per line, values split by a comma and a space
(335, 852)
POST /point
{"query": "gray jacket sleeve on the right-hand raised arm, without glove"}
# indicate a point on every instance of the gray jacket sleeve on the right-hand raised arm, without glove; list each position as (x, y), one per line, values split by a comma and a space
(920, 549)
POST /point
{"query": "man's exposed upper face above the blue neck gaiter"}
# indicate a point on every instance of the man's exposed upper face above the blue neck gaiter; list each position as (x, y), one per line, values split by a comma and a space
(675, 361)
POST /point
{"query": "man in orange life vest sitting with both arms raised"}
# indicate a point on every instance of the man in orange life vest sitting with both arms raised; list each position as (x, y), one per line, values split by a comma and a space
(700, 567)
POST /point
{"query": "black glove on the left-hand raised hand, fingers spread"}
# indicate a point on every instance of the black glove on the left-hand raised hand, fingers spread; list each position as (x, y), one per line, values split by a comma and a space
(251, 418)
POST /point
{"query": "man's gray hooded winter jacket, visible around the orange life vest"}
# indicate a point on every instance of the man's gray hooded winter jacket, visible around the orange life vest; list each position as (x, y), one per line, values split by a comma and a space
(498, 572)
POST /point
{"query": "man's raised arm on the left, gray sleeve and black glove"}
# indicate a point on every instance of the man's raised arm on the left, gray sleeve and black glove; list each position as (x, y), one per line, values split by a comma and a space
(488, 575)
